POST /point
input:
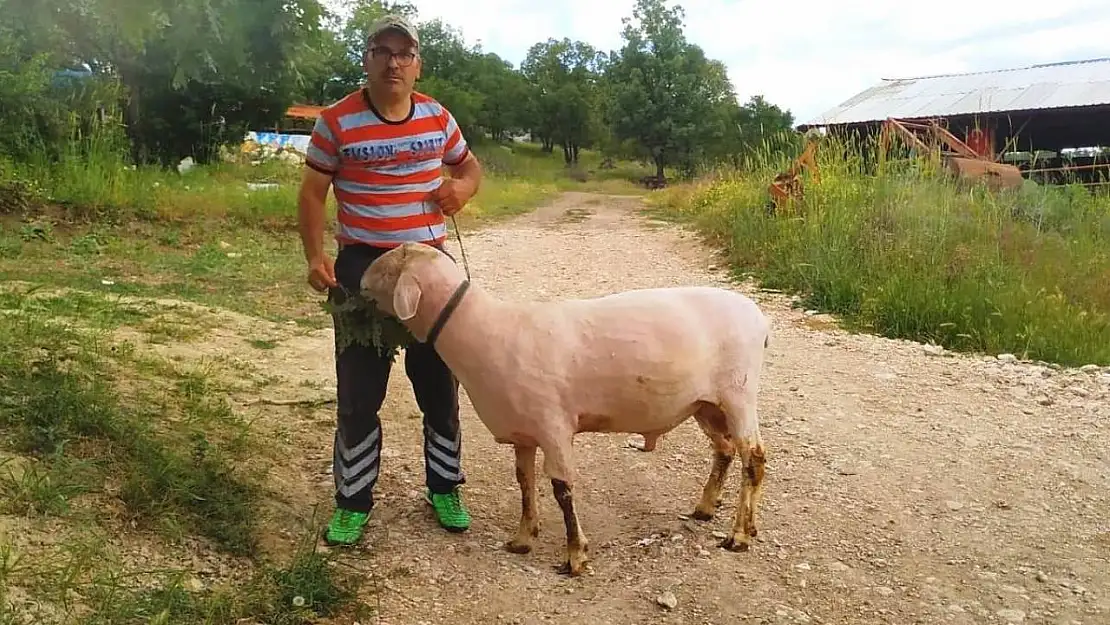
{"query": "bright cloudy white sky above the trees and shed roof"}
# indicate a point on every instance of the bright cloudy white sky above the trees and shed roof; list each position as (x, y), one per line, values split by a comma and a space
(810, 56)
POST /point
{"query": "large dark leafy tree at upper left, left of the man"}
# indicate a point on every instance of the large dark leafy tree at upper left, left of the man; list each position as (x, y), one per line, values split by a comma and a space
(195, 75)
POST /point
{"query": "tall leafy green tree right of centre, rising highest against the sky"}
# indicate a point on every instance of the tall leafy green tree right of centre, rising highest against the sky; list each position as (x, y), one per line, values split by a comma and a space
(668, 97)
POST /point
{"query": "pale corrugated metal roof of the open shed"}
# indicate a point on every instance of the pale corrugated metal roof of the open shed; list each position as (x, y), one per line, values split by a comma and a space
(1074, 84)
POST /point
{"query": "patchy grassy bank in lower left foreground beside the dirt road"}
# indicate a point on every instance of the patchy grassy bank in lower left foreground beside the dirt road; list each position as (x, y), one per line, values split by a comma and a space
(102, 445)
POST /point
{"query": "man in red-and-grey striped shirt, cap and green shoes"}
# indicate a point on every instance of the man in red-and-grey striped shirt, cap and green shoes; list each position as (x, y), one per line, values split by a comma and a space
(384, 148)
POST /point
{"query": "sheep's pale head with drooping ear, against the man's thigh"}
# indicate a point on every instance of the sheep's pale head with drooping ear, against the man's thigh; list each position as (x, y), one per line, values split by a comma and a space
(398, 279)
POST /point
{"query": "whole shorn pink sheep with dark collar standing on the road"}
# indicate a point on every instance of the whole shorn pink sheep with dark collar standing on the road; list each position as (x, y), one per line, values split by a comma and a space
(642, 361)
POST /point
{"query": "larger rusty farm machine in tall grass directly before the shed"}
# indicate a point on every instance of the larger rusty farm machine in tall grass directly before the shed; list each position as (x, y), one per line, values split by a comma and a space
(957, 157)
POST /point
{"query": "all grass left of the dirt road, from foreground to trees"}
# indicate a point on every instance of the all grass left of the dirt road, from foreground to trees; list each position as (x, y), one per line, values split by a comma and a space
(105, 443)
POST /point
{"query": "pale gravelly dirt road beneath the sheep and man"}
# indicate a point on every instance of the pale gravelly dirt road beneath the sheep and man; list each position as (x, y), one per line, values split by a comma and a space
(903, 487)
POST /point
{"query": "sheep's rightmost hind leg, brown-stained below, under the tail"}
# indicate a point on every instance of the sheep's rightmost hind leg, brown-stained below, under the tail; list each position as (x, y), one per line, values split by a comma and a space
(744, 426)
